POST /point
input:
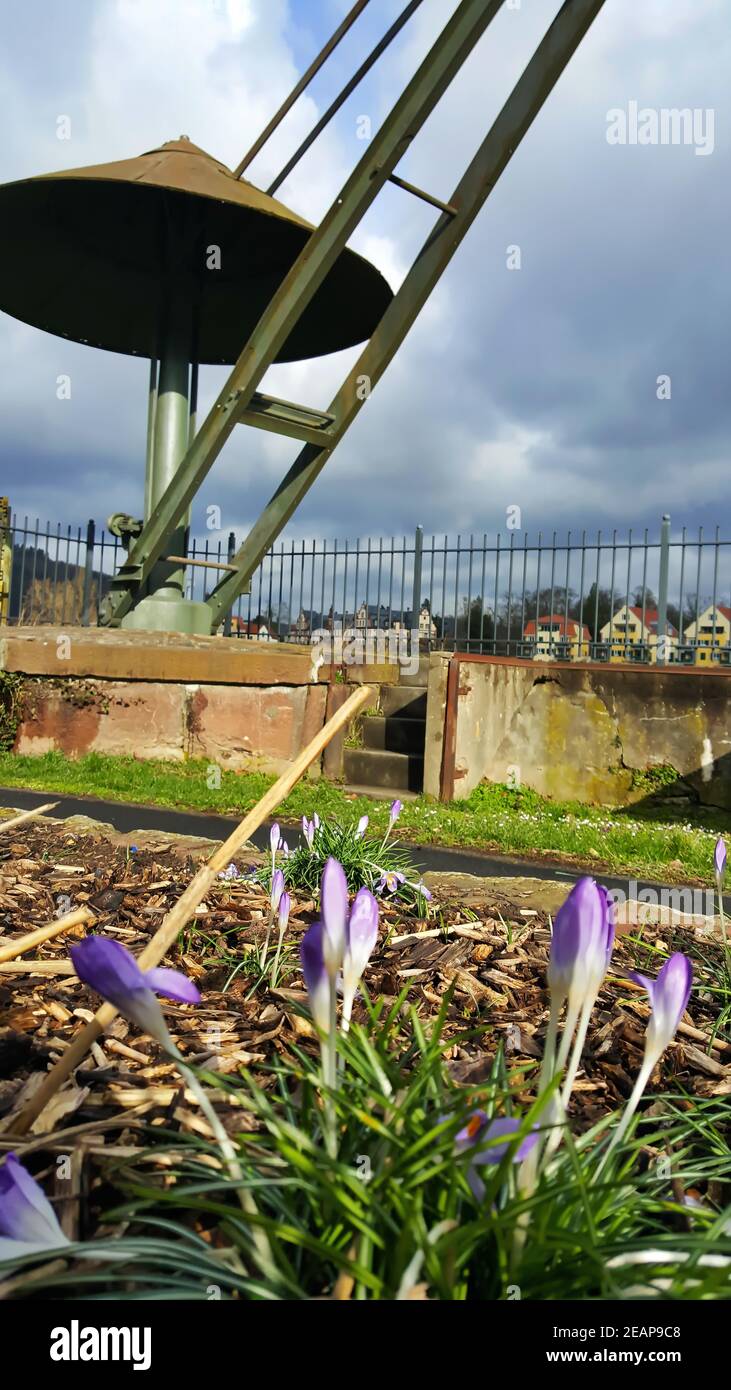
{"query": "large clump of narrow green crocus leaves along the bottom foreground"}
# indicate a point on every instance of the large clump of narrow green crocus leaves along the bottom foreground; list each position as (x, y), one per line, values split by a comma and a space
(393, 1217)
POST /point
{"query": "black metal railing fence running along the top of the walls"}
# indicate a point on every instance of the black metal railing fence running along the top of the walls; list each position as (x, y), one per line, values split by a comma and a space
(608, 597)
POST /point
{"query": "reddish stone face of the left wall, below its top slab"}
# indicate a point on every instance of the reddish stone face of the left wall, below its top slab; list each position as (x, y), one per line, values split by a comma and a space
(234, 726)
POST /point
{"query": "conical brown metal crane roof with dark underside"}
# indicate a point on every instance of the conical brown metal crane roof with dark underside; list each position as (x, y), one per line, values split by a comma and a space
(85, 255)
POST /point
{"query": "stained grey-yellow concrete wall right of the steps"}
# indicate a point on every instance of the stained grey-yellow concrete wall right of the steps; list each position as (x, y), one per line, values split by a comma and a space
(584, 733)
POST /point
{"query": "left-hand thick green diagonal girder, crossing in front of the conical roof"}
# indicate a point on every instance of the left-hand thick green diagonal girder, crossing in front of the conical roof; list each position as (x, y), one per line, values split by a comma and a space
(318, 258)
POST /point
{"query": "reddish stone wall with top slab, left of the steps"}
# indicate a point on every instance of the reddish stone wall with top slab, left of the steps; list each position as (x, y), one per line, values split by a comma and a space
(244, 705)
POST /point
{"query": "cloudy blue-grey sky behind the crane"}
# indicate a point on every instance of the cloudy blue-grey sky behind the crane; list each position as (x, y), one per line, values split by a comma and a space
(534, 387)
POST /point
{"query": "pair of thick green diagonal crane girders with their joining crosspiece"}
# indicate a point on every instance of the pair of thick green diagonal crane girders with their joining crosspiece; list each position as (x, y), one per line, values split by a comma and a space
(240, 400)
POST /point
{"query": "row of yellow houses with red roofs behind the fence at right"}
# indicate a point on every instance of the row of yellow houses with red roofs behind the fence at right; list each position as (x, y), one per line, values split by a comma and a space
(632, 635)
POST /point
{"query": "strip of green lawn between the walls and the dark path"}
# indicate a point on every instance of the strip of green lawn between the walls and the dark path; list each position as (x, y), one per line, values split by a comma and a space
(643, 843)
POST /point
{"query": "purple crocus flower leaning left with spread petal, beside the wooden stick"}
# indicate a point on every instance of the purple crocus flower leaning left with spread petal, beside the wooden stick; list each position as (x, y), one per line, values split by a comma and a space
(109, 968)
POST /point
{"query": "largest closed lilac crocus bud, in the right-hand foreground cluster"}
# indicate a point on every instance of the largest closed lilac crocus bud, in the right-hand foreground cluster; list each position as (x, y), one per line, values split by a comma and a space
(582, 945)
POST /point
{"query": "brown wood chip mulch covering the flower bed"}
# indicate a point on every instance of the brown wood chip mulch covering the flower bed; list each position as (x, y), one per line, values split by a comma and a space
(494, 960)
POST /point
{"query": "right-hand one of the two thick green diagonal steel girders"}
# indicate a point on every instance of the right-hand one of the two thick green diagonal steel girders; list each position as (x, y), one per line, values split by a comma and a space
(511, 126)
